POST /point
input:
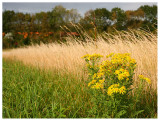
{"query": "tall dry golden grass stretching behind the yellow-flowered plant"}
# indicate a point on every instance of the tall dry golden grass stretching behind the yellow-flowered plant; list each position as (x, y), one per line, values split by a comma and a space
(67, 57)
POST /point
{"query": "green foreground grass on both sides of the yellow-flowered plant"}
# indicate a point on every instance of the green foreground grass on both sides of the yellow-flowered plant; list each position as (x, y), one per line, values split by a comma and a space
(30, 92)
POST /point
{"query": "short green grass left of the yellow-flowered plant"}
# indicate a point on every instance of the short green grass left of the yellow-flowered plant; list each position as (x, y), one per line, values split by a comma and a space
(33, 93)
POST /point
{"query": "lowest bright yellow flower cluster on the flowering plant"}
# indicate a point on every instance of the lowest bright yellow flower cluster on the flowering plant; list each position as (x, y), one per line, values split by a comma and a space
(115, 88)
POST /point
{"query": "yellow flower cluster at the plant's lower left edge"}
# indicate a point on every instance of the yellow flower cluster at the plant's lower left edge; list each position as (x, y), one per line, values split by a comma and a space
(96, 85)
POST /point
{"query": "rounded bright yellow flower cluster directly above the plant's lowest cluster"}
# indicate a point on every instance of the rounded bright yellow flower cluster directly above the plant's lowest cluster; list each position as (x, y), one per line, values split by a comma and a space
(122, 74)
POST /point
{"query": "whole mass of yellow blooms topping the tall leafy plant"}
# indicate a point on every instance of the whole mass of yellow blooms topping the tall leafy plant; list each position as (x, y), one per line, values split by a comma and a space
(111, 71)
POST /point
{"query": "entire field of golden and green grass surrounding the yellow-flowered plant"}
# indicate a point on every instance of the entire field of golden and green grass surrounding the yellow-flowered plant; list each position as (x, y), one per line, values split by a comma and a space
(50, 81)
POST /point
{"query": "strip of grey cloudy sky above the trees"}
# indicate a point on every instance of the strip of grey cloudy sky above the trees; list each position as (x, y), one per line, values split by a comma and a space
(82, 7)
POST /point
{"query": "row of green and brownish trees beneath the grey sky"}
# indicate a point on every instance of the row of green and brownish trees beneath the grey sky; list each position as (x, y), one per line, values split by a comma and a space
(102, 19)
